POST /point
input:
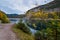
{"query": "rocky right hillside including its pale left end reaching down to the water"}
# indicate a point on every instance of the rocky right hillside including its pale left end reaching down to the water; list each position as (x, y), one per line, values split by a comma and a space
(49, 7)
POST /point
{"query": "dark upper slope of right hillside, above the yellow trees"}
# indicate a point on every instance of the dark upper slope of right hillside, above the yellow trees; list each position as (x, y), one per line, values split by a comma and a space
(52, 6)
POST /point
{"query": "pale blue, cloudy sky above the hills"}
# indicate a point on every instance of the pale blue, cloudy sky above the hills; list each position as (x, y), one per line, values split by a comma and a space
(20, 6)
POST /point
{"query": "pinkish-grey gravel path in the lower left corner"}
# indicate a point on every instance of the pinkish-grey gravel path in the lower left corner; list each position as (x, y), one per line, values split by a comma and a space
(6, 32)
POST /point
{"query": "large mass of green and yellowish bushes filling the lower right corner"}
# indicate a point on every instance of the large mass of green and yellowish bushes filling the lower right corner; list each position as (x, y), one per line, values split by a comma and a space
(51, 32)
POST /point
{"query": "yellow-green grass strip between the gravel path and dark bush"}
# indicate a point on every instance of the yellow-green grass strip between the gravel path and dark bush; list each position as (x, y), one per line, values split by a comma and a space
(22, 35)
